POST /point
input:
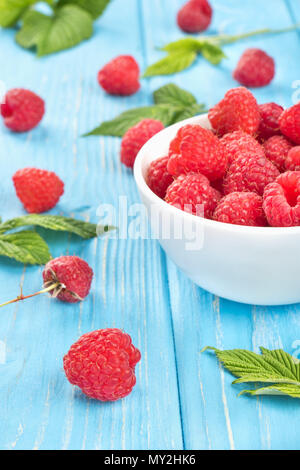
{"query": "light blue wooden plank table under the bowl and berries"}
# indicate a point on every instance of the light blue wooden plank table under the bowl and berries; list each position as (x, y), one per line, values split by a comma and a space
(183, 399)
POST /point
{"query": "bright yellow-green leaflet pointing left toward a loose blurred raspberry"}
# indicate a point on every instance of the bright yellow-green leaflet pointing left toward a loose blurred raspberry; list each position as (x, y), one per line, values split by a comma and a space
(173, 63)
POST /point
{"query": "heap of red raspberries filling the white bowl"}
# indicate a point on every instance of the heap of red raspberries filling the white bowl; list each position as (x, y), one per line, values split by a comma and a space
(245, 171)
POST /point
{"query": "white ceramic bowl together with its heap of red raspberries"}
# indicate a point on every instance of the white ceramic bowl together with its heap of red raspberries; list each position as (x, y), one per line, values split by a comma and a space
(222, 191)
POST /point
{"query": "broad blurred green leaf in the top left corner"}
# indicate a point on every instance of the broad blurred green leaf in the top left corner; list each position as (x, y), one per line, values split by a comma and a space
(67, 27)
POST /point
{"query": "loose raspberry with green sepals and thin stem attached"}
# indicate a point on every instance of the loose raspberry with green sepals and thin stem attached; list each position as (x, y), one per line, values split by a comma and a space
(70, 276)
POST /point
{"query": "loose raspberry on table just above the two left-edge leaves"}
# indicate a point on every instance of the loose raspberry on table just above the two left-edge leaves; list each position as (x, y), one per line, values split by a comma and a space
(38, 190)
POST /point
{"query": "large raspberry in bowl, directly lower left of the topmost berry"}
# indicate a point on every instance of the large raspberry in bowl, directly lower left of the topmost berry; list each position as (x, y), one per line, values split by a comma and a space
(196, 150)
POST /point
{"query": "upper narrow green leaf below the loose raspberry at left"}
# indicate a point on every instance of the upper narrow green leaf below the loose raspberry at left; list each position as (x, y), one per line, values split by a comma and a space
(55, 222)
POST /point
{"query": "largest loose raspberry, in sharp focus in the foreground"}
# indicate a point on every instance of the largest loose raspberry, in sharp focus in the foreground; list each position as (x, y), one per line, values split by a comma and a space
(102, 363)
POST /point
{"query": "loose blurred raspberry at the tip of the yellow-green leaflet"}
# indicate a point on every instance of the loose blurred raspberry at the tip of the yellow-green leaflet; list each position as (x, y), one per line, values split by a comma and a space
(120, 76)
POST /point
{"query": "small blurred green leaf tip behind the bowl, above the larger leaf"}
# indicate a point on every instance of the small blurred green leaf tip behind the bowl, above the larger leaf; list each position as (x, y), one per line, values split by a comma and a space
(173, 95)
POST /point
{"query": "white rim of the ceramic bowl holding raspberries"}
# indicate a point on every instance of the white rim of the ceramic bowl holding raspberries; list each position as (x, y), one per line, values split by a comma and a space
(155, 200)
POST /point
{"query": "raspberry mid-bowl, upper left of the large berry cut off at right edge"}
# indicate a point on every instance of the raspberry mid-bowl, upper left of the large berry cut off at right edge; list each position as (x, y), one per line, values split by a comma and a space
(250, 172)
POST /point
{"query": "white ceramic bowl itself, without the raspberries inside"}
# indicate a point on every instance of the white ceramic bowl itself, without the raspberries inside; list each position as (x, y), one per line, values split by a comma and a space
(254, 265)
